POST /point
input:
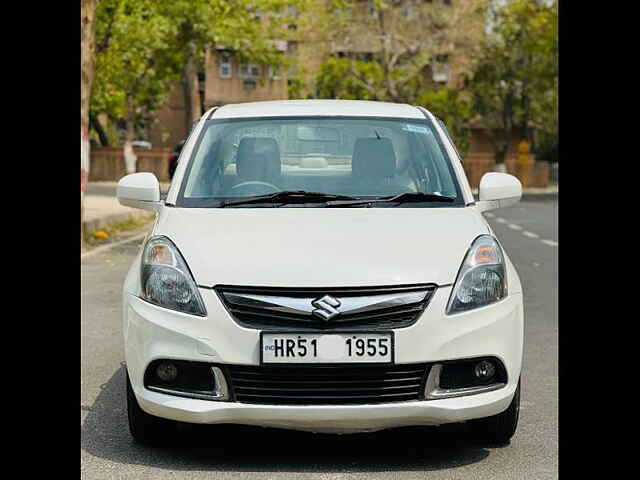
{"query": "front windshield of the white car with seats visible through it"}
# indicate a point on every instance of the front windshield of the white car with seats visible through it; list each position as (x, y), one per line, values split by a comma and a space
(348, 158)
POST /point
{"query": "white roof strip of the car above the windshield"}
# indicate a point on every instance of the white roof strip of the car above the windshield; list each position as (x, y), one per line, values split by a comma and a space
(278, 108)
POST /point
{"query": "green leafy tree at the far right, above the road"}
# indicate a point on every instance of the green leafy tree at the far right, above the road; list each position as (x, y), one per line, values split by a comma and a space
(514, 84)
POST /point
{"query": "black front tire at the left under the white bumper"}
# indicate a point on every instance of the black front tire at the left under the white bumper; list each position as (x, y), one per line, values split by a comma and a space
(146, 429)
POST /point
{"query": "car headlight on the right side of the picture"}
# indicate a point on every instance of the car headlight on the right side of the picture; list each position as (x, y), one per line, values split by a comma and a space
(482, 277)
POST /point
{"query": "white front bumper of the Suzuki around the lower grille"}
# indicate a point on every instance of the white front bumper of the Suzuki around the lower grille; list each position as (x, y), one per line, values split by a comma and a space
(152, 332)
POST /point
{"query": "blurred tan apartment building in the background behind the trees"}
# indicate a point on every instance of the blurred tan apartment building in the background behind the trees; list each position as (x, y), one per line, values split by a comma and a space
(320, 32)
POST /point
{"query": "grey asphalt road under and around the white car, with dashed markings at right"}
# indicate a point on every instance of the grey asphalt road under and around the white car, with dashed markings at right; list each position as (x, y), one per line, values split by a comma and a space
(528, 232)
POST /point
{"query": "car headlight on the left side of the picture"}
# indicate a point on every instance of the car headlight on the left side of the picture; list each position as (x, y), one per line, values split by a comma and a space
(166, 280)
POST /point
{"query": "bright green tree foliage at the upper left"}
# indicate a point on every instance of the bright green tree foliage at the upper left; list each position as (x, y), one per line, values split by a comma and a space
(143, 47)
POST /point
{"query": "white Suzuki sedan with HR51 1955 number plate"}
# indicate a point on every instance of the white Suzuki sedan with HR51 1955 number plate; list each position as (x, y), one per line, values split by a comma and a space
(321, 265)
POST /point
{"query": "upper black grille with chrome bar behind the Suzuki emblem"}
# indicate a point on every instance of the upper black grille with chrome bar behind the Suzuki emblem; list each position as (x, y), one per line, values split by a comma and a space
(370, 308)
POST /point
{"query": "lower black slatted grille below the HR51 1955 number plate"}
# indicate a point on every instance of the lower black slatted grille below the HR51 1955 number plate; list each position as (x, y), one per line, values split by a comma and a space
(327, 384)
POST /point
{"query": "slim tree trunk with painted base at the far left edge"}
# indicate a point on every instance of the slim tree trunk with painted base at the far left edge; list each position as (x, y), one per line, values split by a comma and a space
(87, 63)
